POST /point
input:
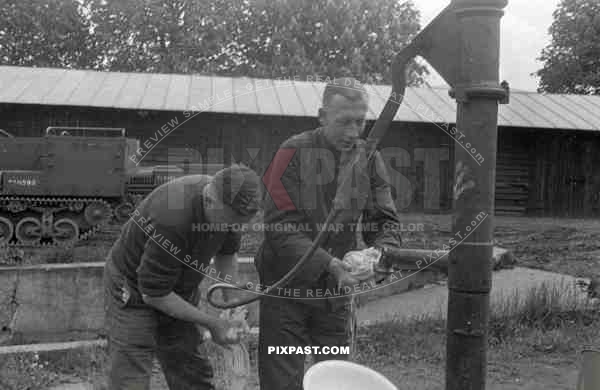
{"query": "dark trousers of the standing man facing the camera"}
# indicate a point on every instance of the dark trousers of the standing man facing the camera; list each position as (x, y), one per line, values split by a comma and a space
(289, 322)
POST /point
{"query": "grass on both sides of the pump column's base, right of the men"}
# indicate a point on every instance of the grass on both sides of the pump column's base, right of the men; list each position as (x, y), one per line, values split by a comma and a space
(549, 325)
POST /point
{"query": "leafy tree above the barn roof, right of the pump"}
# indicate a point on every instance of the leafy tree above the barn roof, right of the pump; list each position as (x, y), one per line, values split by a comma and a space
(572, 60)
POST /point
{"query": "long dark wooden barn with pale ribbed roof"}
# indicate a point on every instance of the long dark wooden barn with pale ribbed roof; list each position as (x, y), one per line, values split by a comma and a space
(548, 155)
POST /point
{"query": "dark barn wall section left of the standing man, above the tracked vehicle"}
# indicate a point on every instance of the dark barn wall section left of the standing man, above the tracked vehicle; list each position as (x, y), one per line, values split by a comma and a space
(205, 138)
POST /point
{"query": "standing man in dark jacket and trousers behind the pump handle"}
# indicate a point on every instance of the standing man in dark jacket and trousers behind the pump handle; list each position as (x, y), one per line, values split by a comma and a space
(298, 200)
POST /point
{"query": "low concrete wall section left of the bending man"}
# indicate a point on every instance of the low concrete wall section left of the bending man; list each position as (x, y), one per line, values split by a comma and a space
(47, 302)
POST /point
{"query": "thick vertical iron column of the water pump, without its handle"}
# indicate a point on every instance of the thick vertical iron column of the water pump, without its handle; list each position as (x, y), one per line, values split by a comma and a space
(478, 93)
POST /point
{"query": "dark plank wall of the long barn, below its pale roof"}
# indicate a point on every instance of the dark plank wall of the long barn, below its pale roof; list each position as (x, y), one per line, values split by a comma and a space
(539, 172)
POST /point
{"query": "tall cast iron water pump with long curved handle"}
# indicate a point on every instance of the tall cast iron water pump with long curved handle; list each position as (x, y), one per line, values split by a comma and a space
(462, 43)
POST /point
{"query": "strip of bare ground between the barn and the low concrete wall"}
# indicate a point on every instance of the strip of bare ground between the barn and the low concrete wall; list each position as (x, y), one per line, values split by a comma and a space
(570, 246)
